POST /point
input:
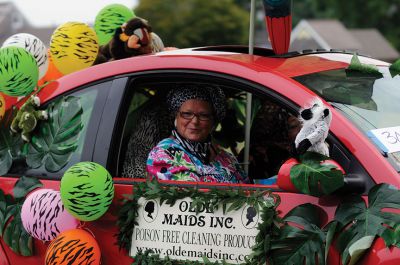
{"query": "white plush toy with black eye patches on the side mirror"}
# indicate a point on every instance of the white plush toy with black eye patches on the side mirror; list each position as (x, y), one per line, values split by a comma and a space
(316, 121)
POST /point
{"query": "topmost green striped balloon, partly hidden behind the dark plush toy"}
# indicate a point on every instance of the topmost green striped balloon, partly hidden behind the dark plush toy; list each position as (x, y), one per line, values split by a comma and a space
(110, 18)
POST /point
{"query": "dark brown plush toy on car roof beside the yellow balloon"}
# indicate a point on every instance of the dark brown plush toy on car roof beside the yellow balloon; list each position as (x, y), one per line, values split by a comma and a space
(131, 39)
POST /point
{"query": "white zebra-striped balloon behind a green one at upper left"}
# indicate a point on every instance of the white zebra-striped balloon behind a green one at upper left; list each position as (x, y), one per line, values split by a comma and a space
(34, 46)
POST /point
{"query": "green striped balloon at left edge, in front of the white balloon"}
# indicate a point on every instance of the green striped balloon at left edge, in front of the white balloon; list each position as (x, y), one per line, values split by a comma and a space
(19, 72)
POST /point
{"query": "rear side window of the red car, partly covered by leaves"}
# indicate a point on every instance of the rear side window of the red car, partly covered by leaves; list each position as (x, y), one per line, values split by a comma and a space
(52, 164)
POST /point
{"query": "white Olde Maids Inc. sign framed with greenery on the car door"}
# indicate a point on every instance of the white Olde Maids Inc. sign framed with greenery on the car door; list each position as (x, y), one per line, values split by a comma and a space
(180, 233)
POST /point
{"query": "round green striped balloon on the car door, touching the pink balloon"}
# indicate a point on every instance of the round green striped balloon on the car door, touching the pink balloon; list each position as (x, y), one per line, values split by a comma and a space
(87, 190)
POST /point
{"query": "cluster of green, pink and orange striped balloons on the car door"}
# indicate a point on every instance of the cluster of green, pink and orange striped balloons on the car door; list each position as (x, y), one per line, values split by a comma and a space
(86, 192)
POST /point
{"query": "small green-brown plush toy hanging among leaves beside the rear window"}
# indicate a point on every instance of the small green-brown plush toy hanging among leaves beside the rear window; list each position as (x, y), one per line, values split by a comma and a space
(27, 117)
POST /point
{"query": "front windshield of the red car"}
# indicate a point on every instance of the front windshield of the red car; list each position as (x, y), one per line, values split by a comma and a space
(368, 100)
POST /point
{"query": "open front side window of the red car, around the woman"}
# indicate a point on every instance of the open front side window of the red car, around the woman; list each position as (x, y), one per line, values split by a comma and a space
(147, 121)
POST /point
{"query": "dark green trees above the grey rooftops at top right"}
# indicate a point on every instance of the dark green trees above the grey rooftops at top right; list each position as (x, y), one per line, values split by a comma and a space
(383, 15)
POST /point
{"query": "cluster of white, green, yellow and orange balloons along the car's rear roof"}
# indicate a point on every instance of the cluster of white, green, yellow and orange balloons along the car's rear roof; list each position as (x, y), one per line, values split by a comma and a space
(25, 62)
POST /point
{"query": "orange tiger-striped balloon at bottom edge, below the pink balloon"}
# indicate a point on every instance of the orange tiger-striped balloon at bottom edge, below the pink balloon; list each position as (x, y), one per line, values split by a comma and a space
(73, 247)
